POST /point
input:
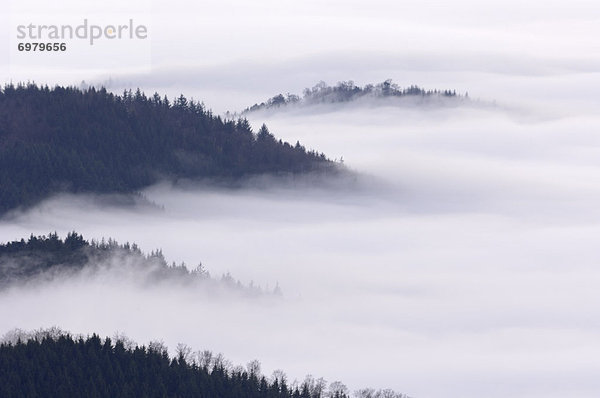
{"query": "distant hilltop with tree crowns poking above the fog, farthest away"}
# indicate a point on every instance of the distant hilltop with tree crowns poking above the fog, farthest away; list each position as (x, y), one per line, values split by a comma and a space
(347, 91)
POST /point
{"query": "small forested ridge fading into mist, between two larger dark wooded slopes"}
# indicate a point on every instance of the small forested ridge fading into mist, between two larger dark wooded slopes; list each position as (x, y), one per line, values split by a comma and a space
(47, 258)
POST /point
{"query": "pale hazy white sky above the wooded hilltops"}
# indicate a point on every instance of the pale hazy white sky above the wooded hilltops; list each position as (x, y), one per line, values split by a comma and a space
(229, 53)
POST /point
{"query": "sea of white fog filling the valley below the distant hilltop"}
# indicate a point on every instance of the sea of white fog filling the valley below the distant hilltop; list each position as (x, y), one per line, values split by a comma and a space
(461, 262)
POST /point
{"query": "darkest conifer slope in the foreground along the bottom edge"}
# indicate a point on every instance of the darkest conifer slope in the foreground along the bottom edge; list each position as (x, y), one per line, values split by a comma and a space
(61, 366)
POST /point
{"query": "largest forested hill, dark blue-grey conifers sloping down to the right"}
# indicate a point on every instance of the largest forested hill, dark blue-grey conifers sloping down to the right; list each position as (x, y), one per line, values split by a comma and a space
(67, 139)
